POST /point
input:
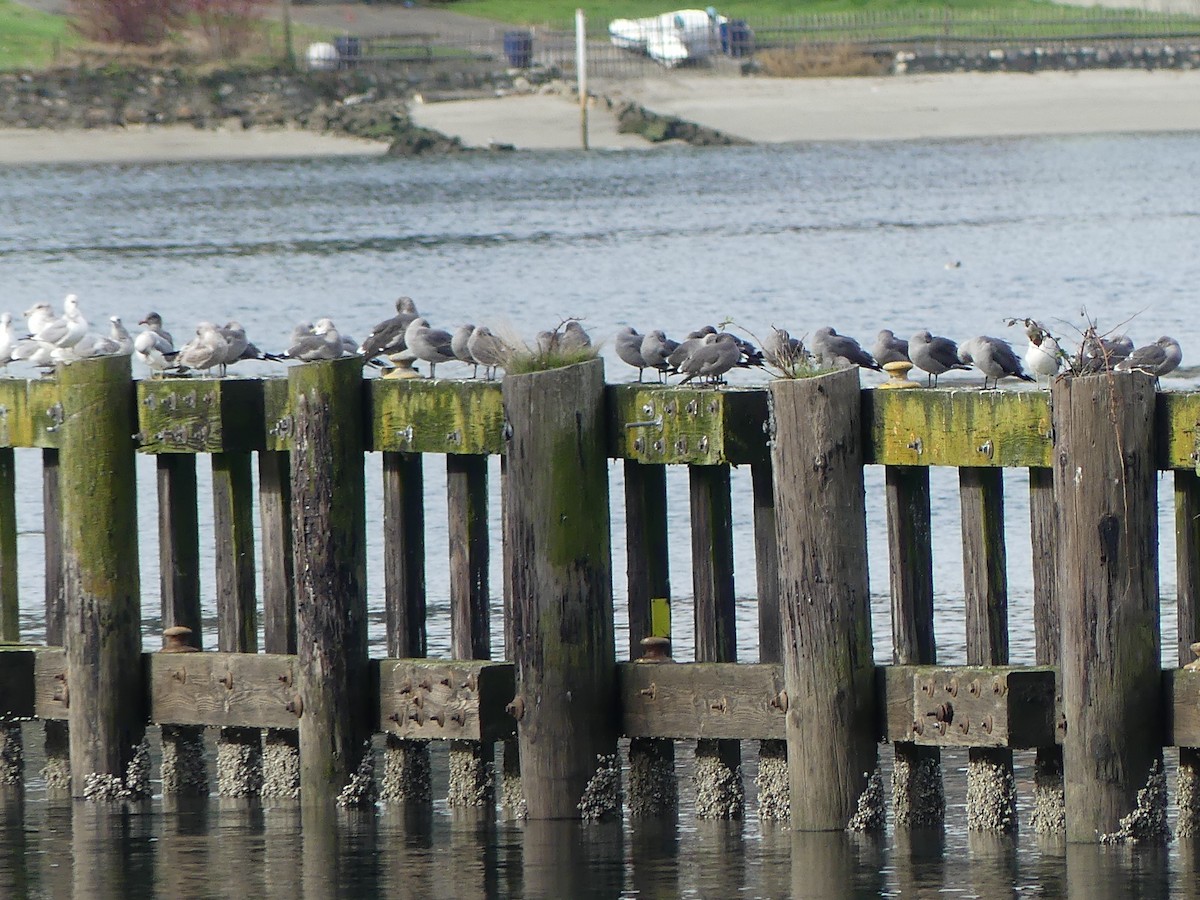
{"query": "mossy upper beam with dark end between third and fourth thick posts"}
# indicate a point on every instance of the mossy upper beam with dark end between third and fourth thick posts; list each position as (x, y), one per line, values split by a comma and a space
(699, 427)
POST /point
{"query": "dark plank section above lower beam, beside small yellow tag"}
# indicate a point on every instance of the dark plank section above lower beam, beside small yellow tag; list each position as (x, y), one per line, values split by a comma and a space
(647, 567)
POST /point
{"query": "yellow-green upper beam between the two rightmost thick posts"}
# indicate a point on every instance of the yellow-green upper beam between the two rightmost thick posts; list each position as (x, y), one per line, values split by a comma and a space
(955, 428)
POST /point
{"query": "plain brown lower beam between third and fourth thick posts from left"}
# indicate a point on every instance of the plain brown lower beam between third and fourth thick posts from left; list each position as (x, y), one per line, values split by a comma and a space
(694, 701)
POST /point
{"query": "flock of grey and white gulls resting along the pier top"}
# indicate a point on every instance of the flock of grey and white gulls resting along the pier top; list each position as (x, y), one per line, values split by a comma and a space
(705, 356)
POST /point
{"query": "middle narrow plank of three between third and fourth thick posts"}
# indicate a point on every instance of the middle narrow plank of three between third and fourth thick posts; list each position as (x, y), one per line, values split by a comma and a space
(721, 794)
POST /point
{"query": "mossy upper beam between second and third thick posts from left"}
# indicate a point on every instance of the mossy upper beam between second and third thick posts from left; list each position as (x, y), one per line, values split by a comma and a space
(436, 417)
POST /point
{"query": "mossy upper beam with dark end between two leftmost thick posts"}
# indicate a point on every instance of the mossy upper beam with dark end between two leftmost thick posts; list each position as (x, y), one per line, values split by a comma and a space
(201, 416)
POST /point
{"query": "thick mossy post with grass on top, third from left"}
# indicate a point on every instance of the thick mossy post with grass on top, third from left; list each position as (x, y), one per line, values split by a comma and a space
(556, 505)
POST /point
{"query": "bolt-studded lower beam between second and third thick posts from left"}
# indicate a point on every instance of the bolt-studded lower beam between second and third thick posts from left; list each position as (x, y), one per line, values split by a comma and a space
(464, 700)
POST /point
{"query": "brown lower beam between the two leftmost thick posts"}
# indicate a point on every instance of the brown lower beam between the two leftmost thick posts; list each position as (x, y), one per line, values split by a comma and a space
(223, 689)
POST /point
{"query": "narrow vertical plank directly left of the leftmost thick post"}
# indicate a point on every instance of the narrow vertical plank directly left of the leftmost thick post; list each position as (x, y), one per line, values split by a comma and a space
(58, 745)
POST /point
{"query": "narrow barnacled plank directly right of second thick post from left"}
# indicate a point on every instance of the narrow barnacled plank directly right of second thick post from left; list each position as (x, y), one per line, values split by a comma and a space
(406, 778)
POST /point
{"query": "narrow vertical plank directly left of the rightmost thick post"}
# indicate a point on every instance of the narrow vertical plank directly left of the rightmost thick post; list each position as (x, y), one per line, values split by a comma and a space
(1049, 815)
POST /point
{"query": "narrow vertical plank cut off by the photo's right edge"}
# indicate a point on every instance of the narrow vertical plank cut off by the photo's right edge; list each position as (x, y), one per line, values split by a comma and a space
(1187, 562)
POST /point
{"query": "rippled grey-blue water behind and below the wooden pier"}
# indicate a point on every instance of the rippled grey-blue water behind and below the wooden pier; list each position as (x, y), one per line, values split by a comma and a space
(855, 236)
